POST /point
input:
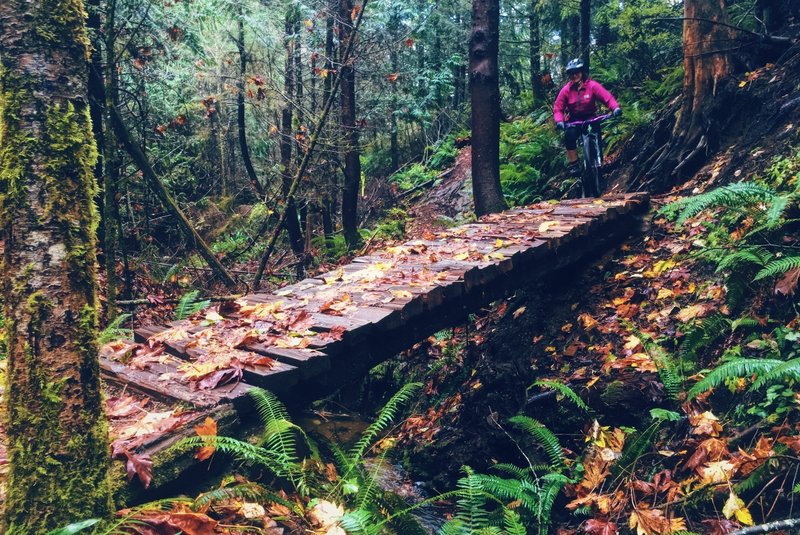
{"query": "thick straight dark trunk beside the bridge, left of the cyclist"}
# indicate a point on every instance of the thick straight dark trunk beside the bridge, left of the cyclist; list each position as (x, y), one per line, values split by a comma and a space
(485, 94)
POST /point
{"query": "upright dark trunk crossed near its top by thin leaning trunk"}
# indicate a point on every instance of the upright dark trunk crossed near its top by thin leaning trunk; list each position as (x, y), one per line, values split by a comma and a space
(352, 162)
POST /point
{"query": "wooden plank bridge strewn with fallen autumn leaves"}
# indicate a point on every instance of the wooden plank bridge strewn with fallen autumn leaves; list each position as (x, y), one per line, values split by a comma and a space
(309, 338)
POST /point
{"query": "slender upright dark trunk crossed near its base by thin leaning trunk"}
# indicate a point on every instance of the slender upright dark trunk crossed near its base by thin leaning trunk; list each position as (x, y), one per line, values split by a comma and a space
(287, 136)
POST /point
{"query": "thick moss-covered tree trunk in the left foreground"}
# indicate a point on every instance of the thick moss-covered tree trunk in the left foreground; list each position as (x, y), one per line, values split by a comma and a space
(57, 434)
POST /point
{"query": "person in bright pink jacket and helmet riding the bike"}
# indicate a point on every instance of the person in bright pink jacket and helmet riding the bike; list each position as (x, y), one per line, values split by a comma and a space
(577, 101)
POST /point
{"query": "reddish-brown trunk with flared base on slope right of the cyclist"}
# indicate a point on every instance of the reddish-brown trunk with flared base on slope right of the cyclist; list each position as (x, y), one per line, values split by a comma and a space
(706, 63)
